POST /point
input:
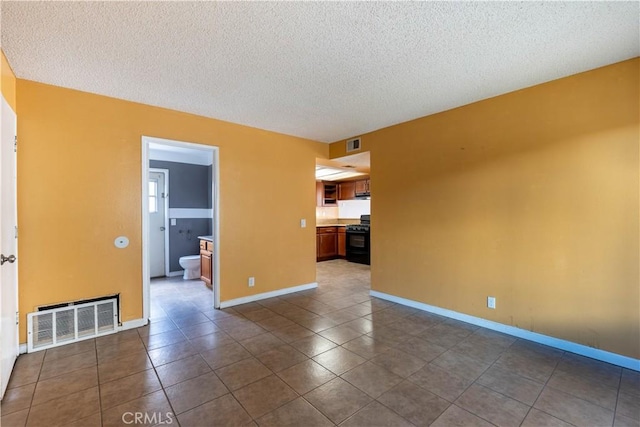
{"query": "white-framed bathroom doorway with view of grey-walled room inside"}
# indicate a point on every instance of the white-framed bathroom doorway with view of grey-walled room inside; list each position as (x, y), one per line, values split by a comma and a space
(191, 206)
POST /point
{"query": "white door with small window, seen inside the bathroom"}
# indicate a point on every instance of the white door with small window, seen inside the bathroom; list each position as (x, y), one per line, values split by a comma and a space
(157, 226)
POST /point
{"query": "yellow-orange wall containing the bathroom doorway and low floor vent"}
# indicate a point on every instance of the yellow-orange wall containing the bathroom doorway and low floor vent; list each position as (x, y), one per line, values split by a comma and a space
(79, 186)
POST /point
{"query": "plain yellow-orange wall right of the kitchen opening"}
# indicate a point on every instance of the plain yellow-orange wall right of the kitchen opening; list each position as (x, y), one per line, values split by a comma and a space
(531, 197)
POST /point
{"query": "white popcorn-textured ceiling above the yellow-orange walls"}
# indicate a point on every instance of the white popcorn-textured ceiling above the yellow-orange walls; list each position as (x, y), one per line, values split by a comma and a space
(319, 70)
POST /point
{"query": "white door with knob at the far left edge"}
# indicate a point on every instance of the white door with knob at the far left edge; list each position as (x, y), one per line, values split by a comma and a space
(8, 246)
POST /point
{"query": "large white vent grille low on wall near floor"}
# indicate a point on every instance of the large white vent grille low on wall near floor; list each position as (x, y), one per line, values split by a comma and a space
(71, 323)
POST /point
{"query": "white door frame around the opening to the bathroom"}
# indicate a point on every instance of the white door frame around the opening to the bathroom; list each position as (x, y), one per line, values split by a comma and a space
(215, 226)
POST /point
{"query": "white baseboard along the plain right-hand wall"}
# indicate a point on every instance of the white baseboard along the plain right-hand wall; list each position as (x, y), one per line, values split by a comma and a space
(583, 350)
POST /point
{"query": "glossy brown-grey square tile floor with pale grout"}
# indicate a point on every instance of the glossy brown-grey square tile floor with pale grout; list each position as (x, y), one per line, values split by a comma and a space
(331, 356)
